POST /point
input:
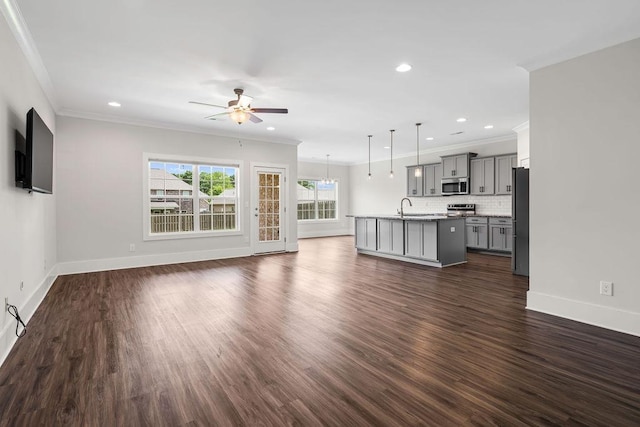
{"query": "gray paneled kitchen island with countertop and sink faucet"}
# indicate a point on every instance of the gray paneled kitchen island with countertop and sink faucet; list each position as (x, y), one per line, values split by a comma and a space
(433, 240)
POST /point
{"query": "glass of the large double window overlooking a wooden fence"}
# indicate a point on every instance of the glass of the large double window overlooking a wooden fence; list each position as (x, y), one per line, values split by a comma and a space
(180, 203)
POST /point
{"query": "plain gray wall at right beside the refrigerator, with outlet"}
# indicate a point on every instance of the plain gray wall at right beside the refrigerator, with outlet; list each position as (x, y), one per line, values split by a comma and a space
(585, 146)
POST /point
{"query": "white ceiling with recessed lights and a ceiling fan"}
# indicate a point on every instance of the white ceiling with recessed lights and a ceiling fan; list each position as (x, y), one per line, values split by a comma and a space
(330, 62)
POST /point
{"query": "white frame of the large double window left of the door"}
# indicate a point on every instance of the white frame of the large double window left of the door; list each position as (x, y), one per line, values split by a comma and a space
(195, 161)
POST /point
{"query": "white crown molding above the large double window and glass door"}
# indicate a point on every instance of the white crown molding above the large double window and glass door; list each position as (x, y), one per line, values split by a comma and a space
(65, 112)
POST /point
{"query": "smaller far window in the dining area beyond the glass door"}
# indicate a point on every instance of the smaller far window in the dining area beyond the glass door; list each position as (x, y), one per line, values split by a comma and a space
(317, 200)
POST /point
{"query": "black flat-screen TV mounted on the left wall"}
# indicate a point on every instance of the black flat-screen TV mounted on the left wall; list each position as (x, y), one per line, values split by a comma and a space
(34, 156)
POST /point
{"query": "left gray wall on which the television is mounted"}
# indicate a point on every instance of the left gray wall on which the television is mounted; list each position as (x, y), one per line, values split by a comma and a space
(27, 221)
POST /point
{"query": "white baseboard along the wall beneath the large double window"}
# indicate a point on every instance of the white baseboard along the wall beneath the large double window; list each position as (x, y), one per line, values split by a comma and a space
(149, 260)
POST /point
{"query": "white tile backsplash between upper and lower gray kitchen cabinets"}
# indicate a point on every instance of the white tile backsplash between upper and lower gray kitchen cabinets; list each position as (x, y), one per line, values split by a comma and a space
(485, 205)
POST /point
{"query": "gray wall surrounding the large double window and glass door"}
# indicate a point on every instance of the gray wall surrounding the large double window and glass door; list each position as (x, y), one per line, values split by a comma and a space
(100, 210)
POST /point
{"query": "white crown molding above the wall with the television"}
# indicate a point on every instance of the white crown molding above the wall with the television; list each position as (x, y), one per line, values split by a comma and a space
(18, 26)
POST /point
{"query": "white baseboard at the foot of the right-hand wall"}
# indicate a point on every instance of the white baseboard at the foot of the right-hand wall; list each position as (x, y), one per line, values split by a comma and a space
(615, 319)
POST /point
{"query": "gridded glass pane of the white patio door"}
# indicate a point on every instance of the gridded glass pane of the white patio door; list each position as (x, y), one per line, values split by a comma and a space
(268, 207)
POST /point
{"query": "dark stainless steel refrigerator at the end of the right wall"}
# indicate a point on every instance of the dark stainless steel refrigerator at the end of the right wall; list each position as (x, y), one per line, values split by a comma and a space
(520, 215)
